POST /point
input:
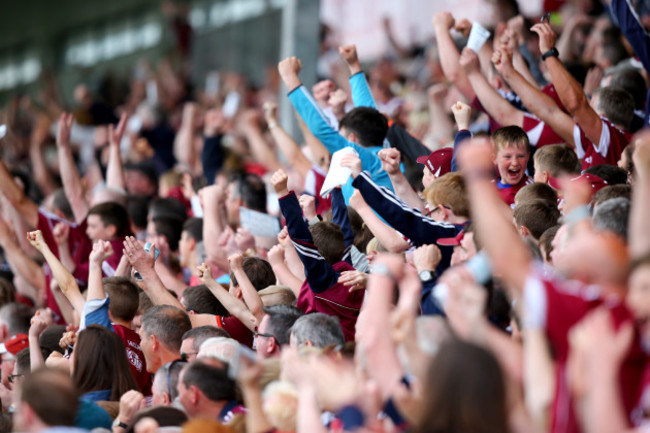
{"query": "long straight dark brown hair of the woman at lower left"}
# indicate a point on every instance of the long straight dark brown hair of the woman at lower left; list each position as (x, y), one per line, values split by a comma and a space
(100, 363)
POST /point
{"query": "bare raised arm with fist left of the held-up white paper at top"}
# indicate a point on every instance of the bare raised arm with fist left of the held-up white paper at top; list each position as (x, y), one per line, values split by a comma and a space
(449, 57)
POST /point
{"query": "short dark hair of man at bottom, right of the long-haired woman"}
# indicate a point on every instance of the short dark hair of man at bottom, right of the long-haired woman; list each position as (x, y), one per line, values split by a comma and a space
(213, 381)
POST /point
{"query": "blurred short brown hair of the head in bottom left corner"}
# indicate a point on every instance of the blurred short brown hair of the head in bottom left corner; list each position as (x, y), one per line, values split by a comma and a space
(38, 390)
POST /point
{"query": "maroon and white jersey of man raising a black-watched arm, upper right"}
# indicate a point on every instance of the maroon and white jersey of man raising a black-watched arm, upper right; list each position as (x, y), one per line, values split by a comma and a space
(607, 151)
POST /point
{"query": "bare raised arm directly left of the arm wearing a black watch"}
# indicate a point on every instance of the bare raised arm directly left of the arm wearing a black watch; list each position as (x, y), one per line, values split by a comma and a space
(540, 104)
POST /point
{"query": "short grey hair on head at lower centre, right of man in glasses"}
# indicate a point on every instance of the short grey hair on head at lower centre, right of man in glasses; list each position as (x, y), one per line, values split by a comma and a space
(319, 329)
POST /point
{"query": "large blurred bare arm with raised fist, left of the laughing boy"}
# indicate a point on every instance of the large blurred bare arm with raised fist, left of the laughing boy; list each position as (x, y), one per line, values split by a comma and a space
(510, 256)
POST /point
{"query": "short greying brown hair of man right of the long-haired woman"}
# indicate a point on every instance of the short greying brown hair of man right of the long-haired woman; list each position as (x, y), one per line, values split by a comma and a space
(168, 324)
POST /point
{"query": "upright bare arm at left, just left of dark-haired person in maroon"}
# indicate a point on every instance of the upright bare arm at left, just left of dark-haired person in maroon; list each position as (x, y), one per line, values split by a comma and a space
(69, 174)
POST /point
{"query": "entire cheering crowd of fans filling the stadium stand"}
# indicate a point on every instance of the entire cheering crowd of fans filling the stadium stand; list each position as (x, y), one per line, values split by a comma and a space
(458, 242)
